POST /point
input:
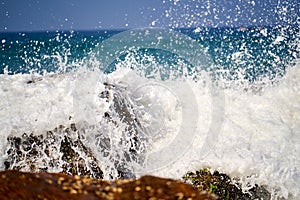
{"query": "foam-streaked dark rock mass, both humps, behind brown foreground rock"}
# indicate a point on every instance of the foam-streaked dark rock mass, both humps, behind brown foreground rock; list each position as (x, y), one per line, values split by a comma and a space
(64, 149)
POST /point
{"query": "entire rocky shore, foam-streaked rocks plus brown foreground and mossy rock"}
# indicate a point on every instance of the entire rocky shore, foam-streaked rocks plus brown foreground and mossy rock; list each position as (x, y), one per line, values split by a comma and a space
(31, 157)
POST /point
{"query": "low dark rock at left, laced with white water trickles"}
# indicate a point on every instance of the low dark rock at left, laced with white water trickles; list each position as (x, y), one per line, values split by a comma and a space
(60, 148)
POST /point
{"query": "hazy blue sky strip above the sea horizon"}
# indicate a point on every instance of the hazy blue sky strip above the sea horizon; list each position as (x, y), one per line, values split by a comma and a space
(42, 15)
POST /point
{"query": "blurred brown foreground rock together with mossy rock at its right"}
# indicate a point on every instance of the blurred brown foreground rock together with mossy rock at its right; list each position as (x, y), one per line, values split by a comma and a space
(201, 184)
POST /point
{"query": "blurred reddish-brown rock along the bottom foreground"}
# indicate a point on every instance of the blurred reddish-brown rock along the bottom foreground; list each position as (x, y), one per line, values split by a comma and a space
(24, 185)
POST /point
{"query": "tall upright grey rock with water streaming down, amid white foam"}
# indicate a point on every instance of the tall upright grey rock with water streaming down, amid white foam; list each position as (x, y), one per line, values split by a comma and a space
(121, 113)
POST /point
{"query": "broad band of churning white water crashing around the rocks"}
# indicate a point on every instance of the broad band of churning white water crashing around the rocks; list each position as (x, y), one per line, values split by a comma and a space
(249, 133)
